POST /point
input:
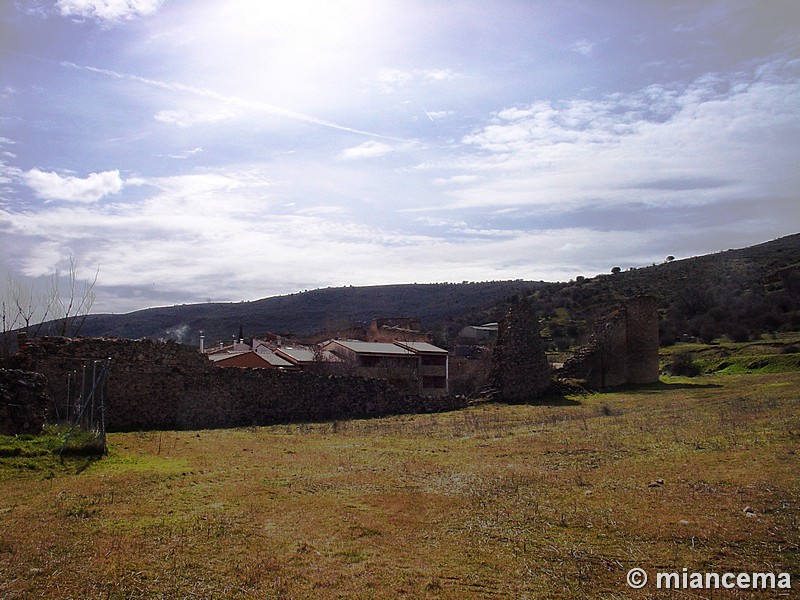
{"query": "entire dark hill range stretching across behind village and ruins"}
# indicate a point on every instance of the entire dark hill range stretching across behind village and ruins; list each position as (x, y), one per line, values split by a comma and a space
(740, 293)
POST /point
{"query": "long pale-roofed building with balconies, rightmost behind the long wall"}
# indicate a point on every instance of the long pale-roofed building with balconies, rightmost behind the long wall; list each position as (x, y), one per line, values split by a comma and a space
(417, 367)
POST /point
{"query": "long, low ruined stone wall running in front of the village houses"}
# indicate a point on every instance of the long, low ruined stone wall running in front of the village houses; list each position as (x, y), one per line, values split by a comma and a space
(154, 385)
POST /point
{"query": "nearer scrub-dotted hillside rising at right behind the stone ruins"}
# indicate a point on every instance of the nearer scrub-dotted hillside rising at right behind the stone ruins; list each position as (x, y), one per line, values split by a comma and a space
(739, 293)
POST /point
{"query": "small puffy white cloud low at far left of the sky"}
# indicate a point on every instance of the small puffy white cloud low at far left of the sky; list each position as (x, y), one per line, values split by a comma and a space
(52, 186)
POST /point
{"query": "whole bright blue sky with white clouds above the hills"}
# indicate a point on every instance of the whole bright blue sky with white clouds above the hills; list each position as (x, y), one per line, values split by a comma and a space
(224, 150)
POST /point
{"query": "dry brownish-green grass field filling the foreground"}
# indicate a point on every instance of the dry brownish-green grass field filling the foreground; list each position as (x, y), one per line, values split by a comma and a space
(523, 501)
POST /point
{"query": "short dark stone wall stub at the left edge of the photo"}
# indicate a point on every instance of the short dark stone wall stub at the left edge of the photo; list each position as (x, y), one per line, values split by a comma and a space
(24, 402)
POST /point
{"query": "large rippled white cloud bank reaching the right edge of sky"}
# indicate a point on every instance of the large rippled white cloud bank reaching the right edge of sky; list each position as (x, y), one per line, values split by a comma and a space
(718, 137)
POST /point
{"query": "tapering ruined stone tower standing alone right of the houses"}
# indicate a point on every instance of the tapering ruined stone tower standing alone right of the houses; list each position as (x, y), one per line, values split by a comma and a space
(520, 371)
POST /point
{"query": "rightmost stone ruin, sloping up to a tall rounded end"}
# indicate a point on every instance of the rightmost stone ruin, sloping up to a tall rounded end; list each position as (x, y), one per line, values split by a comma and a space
(622, 349)
